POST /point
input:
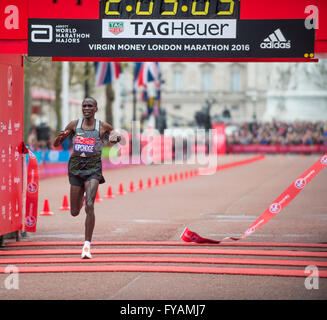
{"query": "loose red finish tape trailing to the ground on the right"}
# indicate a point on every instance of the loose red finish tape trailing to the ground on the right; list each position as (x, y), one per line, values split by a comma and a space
(275, 207)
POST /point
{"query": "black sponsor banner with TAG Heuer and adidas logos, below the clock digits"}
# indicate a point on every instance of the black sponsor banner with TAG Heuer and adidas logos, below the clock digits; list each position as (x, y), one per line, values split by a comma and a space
(172, 39)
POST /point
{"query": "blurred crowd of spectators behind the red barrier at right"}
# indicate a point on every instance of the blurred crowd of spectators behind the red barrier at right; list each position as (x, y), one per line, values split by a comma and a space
(277, 133)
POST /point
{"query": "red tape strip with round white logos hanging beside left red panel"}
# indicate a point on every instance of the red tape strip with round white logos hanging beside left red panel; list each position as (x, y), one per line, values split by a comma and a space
(31, 194)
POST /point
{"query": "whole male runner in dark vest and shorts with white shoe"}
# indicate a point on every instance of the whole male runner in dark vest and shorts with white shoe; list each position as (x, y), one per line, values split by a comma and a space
(85, 166)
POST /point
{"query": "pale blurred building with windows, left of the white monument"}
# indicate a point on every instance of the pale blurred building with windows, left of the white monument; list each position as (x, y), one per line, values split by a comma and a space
(237, 89)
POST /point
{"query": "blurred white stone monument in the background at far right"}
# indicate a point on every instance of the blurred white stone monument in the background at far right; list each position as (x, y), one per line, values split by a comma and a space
(297, 92)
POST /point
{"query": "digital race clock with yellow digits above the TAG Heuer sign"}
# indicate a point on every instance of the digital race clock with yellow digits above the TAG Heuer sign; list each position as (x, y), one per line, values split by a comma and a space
(170, 9)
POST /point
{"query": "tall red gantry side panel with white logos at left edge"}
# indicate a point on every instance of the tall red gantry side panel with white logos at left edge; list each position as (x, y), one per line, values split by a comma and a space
(11, 136)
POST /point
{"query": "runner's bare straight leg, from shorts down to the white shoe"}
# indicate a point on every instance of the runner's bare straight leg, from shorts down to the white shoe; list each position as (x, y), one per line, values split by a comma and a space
(91, 188)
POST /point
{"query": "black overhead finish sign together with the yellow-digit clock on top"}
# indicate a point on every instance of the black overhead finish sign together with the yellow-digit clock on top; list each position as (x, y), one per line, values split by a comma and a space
(154, 30)
